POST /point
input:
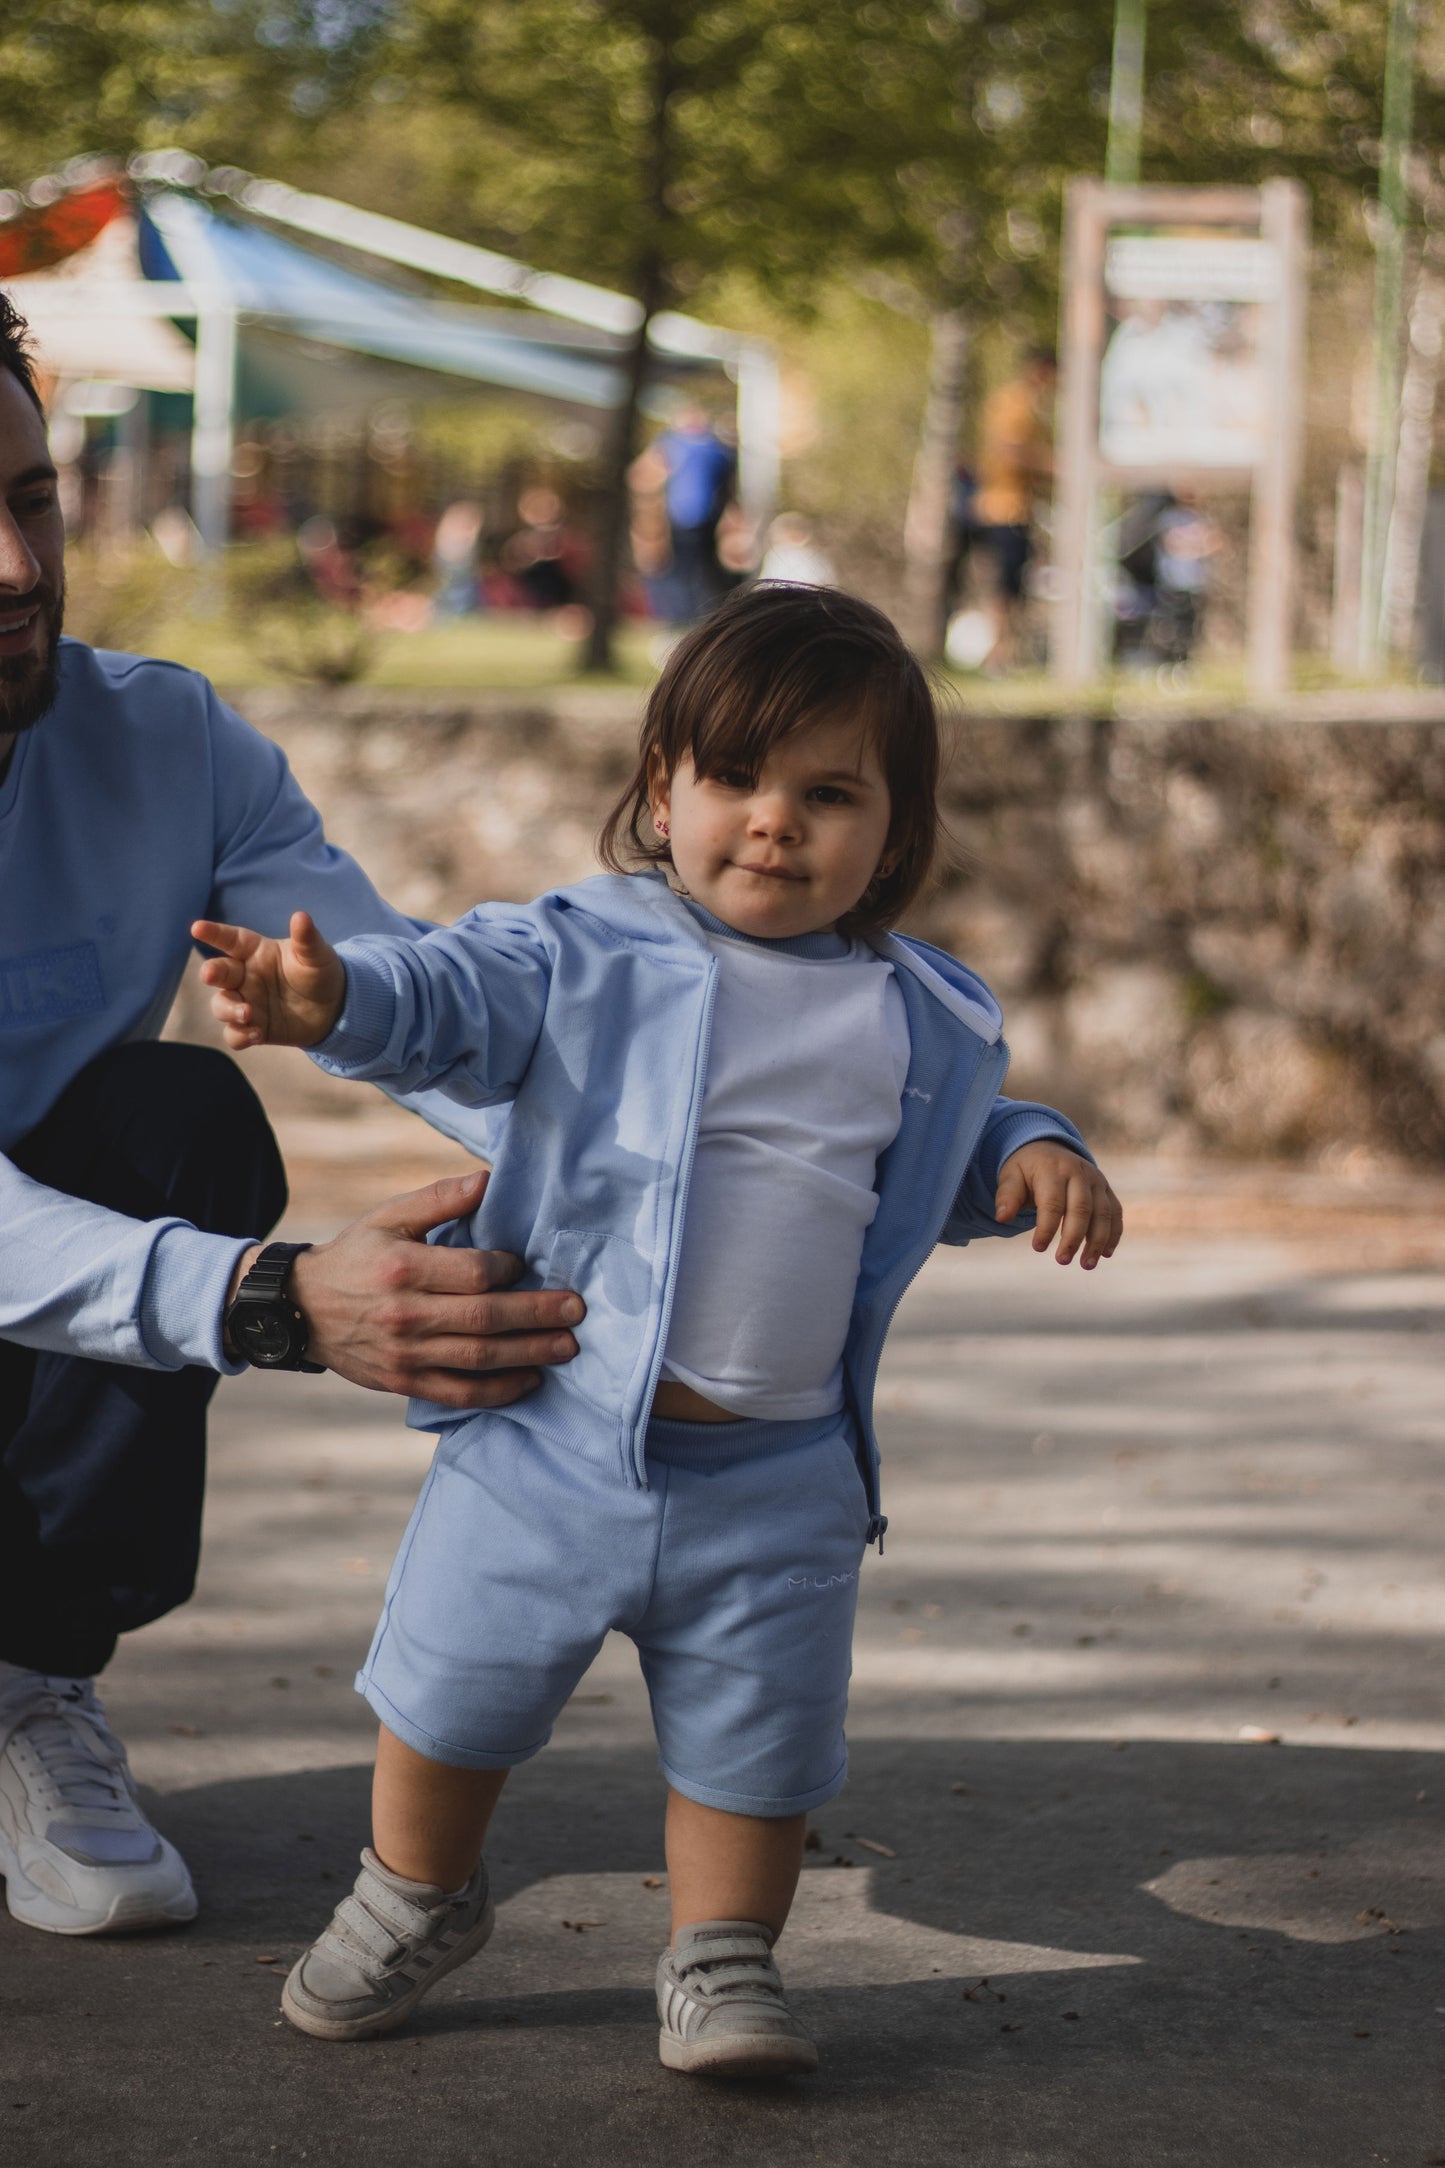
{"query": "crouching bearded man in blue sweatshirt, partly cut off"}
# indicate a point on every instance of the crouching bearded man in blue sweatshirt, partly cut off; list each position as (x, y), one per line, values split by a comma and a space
(135, 1178)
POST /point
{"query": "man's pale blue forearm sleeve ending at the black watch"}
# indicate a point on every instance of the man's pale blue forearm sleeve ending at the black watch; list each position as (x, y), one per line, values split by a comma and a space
(81, 1280)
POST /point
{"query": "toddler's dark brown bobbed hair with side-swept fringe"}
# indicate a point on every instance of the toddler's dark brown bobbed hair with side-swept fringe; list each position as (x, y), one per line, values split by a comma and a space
(770, 662)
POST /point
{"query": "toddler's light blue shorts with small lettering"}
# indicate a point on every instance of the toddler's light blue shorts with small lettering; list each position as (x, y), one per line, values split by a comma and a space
(735, 1573)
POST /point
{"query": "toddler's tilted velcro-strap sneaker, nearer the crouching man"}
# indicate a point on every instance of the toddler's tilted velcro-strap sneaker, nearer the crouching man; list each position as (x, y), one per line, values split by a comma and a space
(389, 1941)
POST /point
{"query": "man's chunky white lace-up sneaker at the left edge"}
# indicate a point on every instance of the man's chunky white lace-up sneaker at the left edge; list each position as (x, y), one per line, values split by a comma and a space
(77, 1853)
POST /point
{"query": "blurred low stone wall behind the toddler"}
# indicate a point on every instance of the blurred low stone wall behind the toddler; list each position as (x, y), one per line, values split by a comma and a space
(1219, 935)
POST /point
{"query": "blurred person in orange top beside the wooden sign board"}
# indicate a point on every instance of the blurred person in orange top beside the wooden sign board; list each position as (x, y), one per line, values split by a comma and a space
(1015, 465)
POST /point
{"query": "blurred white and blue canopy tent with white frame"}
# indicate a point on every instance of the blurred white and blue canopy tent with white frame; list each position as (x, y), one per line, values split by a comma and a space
(216, 248)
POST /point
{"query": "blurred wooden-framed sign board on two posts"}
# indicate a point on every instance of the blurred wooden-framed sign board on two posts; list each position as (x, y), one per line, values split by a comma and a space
(1182, 370)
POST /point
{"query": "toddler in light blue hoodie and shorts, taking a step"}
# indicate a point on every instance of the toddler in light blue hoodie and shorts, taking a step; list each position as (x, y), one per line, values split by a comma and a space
(735, 1115)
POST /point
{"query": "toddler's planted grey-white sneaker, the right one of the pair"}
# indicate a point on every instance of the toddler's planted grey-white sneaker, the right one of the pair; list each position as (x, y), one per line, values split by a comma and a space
(720, 2004)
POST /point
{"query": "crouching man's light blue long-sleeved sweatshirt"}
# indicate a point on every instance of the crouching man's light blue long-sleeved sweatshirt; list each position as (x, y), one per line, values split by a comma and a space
(133, 808)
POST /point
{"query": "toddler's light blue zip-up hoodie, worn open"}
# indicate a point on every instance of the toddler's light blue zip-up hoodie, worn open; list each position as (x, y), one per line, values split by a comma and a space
(584, 1022)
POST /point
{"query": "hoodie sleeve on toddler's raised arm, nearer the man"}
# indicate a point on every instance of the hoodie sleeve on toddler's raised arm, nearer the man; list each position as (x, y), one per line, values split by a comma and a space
(458, 1011)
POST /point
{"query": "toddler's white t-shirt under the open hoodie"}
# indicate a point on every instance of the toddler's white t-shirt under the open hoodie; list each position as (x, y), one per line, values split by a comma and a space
(805, 1092)
